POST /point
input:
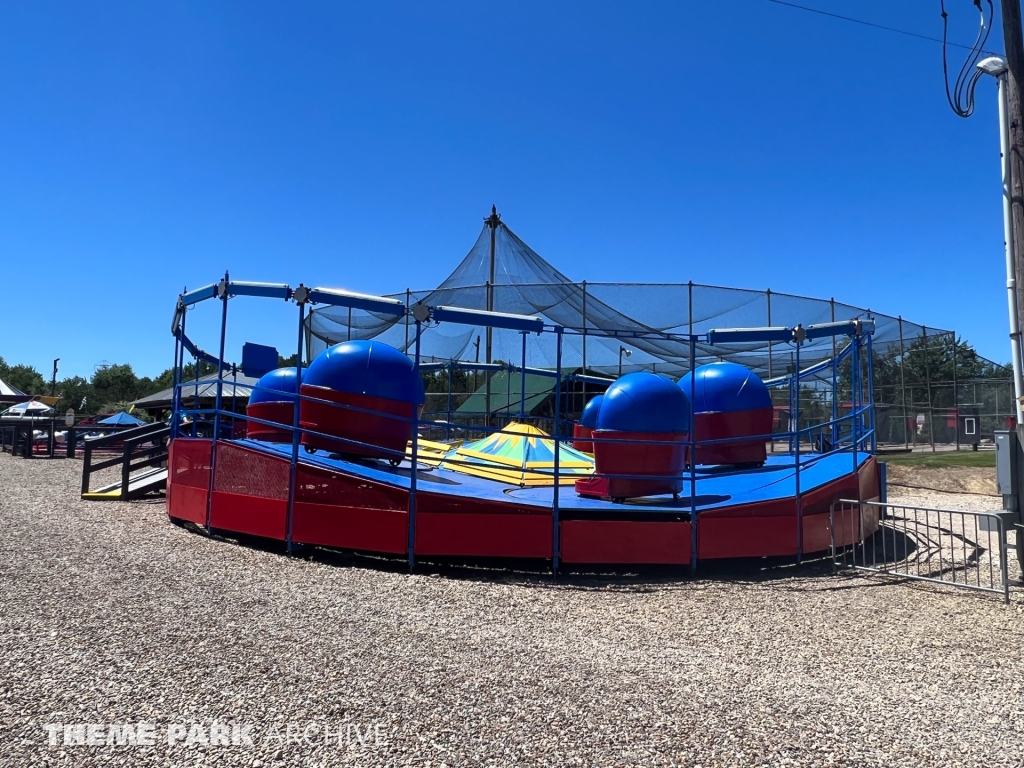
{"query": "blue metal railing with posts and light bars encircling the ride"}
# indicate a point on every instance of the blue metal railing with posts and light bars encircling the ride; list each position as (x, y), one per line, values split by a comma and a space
(861, 440)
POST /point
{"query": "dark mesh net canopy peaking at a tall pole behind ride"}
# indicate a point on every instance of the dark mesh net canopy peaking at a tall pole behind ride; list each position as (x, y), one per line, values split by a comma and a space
(666, 315)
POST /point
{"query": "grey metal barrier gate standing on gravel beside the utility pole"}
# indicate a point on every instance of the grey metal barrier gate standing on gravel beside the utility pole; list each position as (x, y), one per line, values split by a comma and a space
(951, 547)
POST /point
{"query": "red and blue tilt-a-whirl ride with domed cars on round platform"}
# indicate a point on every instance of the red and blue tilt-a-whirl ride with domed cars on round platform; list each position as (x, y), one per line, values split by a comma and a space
(335, 454)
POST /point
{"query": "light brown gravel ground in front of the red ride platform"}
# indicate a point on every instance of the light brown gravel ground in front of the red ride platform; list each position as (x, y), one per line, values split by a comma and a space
(110, 615)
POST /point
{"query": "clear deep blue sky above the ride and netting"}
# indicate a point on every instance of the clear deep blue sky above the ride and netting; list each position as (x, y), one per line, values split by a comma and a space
(146, 147)
